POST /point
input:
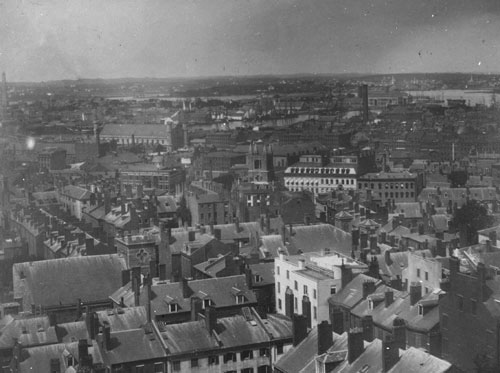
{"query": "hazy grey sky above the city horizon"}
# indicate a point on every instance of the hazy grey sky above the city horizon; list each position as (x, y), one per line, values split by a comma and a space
(68, 39)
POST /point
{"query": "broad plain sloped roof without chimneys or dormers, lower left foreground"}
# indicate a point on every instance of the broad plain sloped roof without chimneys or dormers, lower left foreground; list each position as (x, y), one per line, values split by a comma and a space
(63, 281)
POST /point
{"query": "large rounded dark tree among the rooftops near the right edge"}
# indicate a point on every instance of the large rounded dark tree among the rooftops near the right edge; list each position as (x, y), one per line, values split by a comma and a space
(469, 219)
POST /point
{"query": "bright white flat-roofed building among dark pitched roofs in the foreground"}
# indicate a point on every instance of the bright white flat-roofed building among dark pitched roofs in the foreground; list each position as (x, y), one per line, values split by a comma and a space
(313, 275)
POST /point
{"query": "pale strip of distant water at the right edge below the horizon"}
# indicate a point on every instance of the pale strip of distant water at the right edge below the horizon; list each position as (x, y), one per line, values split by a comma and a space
(471, 97)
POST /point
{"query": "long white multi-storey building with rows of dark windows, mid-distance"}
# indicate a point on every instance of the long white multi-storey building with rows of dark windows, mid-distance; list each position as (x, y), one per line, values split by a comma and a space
(313, 174)
